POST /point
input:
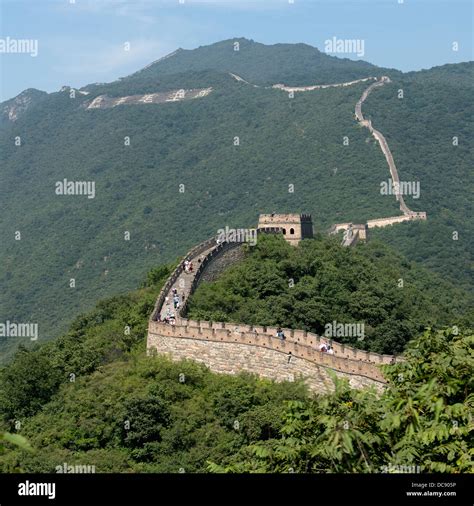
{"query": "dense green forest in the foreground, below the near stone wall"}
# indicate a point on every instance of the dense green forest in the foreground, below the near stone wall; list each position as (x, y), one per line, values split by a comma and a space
(93, 398)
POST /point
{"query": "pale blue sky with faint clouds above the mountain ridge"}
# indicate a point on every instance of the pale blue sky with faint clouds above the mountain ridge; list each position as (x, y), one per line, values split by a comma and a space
(82, 41)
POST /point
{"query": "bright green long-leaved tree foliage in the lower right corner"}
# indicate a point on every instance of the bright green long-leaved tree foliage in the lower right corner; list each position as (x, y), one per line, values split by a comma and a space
(421, 423)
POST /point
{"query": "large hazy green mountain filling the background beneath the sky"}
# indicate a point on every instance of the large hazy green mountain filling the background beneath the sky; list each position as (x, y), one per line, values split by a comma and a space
(182, 148)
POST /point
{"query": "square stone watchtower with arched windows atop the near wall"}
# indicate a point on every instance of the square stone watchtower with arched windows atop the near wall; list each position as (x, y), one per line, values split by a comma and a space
(294, 227)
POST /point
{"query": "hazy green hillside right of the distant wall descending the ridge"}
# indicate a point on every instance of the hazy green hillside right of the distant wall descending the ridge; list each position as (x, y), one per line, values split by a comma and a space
(420, 129)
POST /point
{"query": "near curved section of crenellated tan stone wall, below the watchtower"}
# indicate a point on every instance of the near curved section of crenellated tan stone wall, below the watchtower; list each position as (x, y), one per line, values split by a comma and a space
(232, 348)
